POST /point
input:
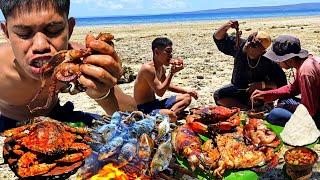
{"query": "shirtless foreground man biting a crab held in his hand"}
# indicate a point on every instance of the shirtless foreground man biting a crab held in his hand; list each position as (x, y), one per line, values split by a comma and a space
(36, 30)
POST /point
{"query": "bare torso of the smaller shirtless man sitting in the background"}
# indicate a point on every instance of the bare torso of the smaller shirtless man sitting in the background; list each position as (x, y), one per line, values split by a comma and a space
(143, 93)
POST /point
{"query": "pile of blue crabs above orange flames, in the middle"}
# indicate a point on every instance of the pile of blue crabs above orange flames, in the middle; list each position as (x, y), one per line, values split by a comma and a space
(132, 145)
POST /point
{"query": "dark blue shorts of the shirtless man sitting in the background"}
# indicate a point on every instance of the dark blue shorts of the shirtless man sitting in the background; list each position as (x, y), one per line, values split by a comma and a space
(154, 107)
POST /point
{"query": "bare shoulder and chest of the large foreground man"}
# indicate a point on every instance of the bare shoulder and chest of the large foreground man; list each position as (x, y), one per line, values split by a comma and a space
(16, 88)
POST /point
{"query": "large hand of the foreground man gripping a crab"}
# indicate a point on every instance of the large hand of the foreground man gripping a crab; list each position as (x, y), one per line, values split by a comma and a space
(101, 71)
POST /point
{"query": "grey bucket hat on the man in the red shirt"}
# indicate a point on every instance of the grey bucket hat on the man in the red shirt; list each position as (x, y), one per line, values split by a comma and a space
(285, 47)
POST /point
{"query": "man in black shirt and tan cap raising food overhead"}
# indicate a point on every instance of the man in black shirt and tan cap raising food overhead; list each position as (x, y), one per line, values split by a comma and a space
(251, 70)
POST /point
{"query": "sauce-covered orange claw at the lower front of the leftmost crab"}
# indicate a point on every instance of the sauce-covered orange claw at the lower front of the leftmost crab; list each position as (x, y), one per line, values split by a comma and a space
(28, 166)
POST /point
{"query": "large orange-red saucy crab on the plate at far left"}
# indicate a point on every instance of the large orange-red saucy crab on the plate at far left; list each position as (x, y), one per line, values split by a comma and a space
(46, 147)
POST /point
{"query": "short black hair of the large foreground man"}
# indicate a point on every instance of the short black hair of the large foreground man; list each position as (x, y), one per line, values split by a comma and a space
(10, 7)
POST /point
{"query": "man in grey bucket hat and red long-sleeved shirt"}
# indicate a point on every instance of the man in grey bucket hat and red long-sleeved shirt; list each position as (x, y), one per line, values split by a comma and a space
(286, 51)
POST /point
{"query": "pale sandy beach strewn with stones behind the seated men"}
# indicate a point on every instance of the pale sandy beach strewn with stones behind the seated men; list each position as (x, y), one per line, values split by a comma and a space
(206, 69)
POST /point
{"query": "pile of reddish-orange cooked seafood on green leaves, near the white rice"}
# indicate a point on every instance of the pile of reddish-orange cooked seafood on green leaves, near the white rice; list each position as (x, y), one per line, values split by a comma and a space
(231, 145)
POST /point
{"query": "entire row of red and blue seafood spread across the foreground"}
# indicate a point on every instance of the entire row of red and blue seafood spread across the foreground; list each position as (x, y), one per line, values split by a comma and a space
(134, 145)
